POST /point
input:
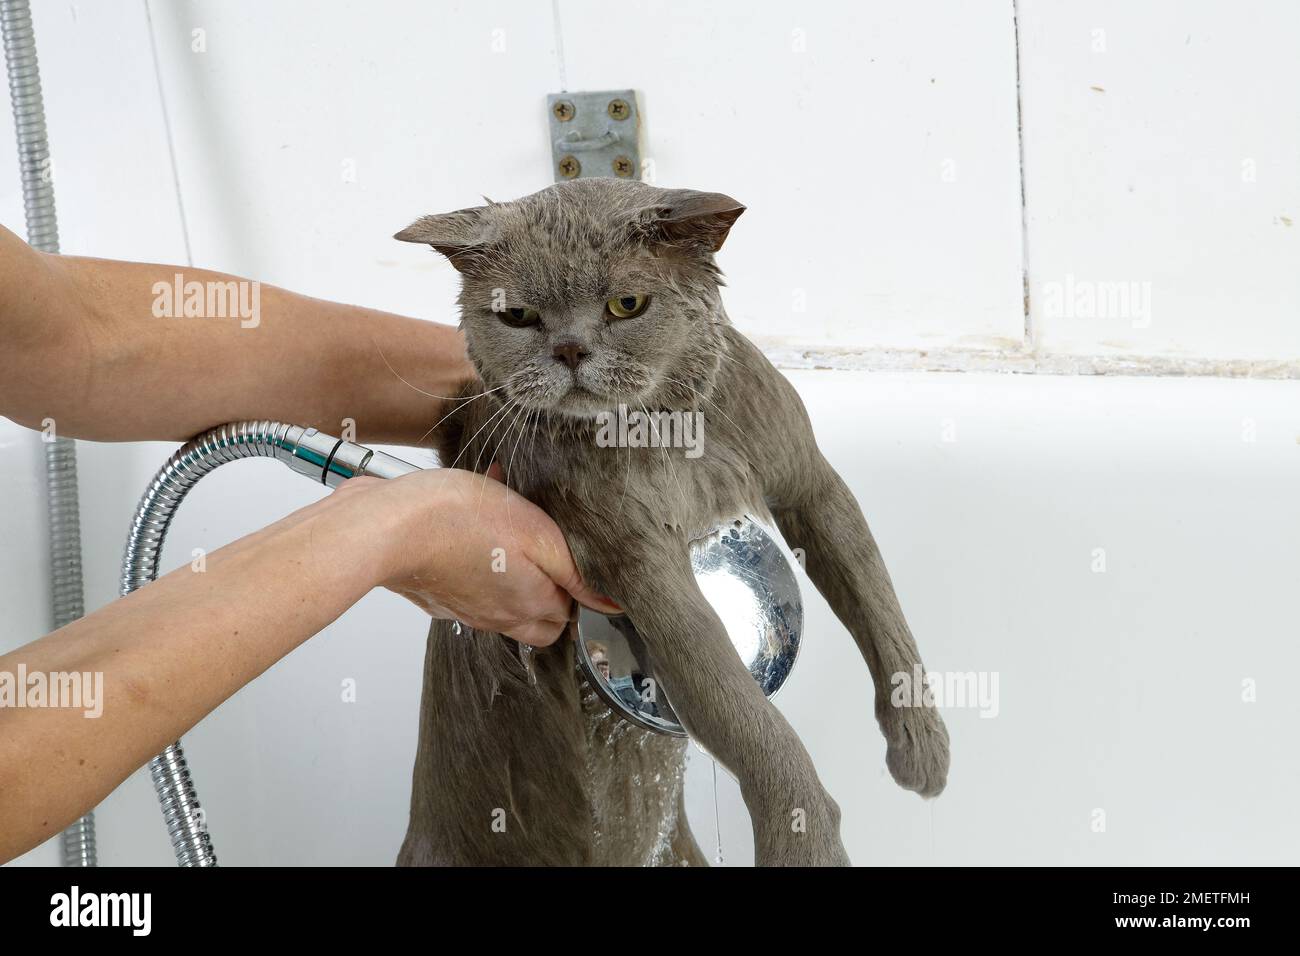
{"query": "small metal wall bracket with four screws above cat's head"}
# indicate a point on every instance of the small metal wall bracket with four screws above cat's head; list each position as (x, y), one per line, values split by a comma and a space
(595, 135)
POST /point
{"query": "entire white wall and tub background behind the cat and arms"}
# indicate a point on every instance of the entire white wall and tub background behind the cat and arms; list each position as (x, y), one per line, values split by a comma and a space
(883, 152)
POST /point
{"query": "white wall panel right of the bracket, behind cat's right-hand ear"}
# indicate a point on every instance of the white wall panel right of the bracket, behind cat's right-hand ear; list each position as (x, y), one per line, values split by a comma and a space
(874, 144)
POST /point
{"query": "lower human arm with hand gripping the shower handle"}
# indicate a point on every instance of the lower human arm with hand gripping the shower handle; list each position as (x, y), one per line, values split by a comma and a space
(174, 651)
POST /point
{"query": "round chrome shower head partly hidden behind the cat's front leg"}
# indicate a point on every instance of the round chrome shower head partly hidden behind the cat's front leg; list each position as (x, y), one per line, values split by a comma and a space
(747, 578)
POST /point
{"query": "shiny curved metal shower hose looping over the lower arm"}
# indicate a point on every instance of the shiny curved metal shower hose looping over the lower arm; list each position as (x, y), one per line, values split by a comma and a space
(320, 457)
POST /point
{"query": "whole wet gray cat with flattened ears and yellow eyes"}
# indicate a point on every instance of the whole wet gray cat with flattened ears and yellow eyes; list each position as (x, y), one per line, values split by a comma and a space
(575, 300)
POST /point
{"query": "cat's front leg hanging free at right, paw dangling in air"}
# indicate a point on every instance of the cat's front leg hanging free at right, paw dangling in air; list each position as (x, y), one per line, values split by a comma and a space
(824, 520)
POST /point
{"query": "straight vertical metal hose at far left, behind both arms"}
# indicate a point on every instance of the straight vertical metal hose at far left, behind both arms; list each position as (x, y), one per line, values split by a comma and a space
(38, 206)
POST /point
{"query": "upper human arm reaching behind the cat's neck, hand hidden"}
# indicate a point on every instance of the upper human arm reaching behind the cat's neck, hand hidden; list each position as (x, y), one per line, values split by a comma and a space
(80, 344)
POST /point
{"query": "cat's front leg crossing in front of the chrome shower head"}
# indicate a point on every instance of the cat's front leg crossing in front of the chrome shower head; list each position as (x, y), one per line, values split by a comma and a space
(796, 823)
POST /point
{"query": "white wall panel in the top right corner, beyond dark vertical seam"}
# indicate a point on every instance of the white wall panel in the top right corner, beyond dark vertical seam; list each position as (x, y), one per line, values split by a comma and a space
(1162, 146)
